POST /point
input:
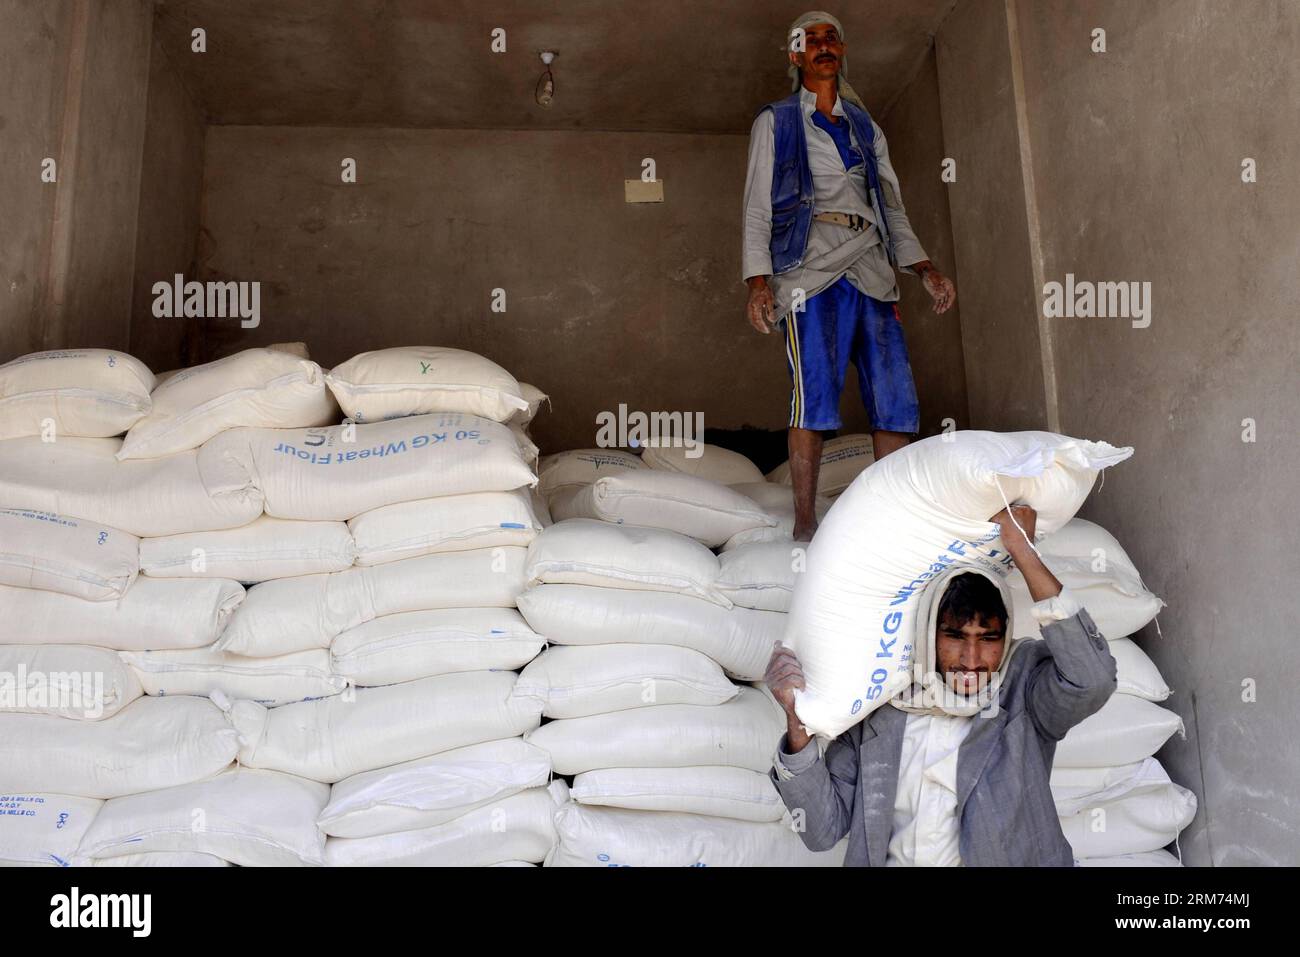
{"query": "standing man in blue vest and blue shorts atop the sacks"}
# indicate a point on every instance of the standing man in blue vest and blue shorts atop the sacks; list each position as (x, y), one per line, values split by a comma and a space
(824, 215)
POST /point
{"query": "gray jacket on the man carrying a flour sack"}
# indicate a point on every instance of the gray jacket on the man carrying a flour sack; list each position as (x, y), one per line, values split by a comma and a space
(1004, 804)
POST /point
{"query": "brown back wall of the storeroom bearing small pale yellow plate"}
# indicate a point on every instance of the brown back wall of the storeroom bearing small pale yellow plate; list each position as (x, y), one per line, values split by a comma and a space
(606, 302)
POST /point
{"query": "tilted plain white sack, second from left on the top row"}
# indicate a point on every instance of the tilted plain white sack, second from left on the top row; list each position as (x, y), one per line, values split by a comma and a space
(257, 388)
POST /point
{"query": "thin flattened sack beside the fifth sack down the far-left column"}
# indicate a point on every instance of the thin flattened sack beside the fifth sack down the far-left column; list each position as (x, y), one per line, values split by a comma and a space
(271, 682)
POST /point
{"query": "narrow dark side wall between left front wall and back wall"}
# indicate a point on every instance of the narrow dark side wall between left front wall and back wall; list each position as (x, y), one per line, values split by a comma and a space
(168, 233)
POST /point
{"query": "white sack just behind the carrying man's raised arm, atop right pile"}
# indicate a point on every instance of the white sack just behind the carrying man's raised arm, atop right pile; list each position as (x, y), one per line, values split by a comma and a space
(1090, 562)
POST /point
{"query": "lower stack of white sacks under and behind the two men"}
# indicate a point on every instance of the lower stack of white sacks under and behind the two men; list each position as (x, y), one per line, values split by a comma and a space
(647, 625)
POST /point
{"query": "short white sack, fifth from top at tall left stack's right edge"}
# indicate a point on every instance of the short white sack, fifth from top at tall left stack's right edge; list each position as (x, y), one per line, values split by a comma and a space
(422, 644)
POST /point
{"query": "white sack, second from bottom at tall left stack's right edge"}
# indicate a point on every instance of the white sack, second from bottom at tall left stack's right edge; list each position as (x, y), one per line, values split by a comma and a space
(434, 791)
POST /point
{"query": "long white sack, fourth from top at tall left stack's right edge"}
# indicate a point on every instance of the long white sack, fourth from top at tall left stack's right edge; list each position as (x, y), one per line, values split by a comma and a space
(309, 612)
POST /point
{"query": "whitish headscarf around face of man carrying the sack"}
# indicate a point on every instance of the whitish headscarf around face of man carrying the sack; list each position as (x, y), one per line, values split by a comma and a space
(930, 692)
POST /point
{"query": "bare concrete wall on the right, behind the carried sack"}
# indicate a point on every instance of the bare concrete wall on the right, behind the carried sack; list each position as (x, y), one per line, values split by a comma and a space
(1134, 159)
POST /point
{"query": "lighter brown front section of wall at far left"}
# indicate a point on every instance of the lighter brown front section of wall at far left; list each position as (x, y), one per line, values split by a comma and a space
(75, 77)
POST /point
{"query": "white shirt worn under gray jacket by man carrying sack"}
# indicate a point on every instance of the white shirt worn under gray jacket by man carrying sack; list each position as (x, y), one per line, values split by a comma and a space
(926, 832)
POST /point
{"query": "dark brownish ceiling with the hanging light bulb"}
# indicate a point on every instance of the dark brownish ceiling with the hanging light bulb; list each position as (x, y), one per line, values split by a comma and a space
(670, 66)
